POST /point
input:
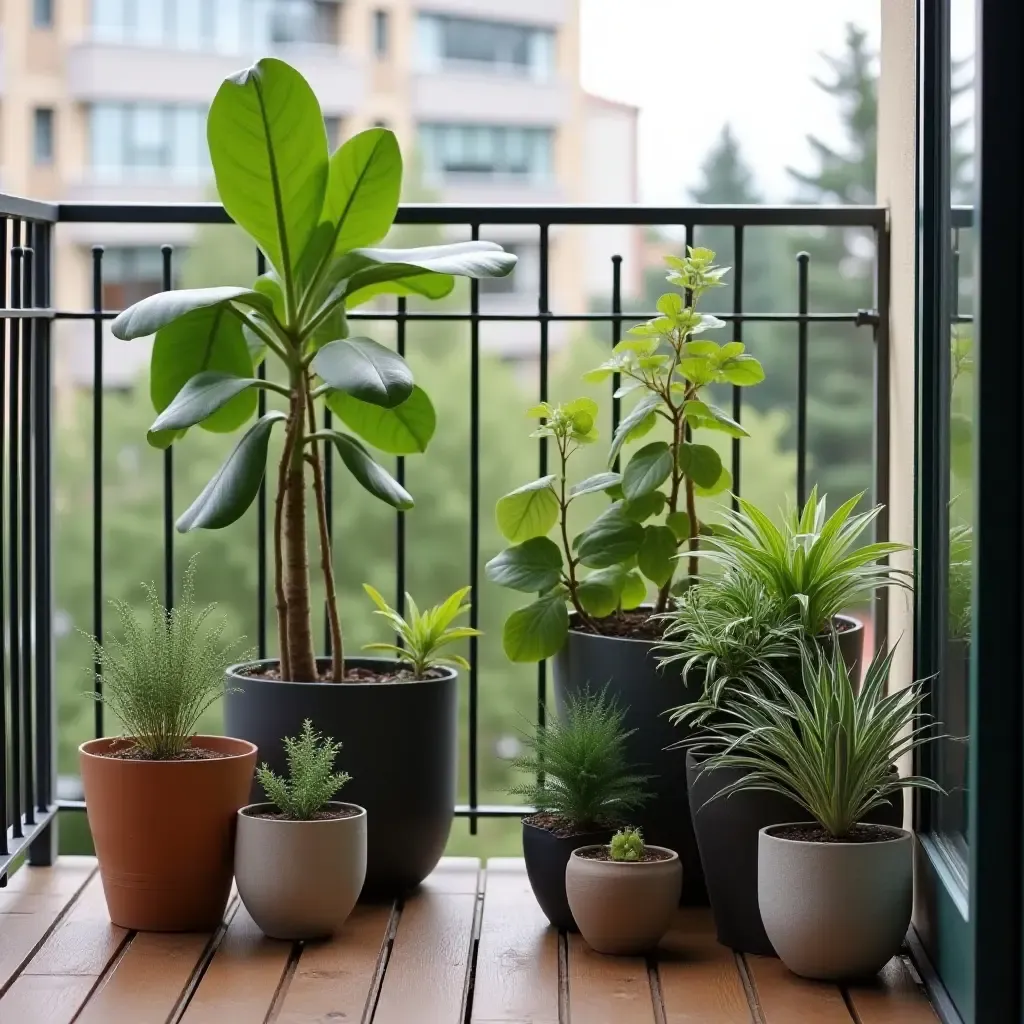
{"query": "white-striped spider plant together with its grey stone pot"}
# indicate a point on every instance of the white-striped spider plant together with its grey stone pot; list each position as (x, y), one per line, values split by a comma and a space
(835, 892)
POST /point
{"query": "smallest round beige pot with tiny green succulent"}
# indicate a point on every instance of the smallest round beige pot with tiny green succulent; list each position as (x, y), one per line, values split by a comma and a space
(624, 894)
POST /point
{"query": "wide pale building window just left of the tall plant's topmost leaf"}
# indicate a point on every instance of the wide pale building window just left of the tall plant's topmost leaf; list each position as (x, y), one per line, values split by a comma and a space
(136, 142)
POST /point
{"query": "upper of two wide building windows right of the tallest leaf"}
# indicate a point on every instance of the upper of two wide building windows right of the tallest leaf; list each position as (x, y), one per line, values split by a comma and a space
(493, 47)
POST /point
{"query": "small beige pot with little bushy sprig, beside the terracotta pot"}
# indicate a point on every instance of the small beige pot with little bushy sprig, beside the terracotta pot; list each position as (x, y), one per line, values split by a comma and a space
(301, 860)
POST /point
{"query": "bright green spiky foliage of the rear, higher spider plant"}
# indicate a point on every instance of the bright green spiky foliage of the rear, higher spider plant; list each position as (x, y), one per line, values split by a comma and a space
(812, 564)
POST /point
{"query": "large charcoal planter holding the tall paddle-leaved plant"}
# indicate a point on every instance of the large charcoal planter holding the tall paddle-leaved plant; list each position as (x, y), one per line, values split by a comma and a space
(400, 746)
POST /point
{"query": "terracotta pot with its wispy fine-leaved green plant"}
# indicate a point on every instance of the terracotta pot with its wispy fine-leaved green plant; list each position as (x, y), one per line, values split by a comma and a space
(161, 801)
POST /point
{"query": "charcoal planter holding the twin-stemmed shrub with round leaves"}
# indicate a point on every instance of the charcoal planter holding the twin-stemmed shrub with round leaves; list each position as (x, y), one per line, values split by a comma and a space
(630, 671)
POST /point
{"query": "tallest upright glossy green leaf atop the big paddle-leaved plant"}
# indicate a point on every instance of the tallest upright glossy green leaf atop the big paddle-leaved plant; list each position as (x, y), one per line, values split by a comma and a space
(269, 150)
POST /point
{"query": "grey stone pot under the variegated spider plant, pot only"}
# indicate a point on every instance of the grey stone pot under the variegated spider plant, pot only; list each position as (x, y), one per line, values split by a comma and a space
(836, 911)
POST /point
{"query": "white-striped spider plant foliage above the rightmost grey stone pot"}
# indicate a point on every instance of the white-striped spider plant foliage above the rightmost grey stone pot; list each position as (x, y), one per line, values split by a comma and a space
(830, 749)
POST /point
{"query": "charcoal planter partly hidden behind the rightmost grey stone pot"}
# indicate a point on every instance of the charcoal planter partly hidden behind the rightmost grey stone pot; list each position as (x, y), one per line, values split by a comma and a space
(728, 837)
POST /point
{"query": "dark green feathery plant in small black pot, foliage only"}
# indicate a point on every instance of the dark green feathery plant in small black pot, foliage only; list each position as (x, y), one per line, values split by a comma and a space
(582, 775)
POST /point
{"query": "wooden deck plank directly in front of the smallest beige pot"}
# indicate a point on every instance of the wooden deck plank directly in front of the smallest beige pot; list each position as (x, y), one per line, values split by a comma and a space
(608, 989)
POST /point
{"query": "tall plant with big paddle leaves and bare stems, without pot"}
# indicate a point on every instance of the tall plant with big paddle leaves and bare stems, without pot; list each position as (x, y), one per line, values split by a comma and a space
(316, 217)
